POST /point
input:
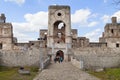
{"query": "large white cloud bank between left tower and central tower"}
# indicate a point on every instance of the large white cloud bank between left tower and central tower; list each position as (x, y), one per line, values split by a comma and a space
(34, 22)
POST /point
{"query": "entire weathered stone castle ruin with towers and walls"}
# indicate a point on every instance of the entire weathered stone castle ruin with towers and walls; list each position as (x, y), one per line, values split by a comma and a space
(60, 37)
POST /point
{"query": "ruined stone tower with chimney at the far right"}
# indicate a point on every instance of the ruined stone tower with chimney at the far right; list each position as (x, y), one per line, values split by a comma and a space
(111, 35)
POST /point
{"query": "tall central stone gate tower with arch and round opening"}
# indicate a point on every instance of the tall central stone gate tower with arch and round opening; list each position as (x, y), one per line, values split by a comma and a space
(59, 28)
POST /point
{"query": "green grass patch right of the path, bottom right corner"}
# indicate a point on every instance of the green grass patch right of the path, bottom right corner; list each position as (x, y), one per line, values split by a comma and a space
(108, 74)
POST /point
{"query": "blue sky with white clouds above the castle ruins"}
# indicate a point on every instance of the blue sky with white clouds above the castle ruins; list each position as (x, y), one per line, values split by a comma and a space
(29, 16)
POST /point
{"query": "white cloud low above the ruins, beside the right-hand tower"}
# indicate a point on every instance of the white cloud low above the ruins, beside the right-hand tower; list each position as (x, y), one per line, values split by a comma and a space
(94, 35)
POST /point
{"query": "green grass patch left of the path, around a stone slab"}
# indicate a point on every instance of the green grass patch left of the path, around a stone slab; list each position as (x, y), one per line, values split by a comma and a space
(7, 73)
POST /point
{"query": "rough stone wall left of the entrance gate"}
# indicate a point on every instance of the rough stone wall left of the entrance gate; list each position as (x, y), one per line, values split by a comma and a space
(30, 57)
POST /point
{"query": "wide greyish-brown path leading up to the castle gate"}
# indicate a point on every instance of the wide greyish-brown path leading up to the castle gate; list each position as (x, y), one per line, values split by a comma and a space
(64, 71)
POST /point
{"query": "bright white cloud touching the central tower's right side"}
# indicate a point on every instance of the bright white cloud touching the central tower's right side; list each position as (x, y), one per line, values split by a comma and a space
(81, 18)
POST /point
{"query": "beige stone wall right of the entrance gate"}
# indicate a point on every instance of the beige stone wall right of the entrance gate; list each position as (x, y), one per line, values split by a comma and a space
(98, 57)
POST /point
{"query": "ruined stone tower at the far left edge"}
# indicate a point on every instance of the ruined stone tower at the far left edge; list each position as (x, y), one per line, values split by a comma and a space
(6, 34)
